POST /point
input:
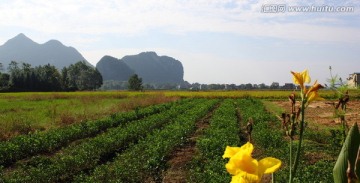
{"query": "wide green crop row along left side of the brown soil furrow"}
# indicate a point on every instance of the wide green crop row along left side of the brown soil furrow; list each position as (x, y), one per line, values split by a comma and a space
(146, 160)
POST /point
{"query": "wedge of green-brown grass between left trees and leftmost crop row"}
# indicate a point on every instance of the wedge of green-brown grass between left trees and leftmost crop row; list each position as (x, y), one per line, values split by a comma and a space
(23, 113)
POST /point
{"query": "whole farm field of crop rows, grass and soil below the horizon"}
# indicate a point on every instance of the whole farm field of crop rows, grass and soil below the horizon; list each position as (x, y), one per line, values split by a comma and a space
(156, 136)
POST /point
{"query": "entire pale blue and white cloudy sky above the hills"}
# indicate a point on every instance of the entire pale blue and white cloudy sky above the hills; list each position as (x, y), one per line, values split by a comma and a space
(217, 41)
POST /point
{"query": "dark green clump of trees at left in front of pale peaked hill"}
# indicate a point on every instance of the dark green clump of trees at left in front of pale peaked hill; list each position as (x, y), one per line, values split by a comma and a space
(24, 77)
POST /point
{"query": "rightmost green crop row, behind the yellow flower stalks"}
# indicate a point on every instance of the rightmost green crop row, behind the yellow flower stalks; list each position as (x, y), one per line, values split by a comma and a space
(268, 136)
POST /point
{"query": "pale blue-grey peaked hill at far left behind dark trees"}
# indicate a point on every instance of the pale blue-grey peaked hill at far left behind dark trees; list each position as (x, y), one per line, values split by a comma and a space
(23, 49)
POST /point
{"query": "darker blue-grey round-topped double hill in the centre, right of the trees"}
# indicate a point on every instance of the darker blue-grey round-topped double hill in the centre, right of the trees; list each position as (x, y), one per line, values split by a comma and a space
(148, 65)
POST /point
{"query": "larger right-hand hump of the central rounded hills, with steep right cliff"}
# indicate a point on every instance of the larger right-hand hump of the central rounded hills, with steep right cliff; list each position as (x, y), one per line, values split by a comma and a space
(155, 69)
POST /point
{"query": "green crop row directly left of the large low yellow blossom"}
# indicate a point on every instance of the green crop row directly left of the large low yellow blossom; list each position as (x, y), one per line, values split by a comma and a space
(208, 165)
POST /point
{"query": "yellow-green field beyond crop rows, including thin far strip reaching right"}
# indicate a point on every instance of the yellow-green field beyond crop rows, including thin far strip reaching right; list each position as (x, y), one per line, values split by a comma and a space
(21, 113)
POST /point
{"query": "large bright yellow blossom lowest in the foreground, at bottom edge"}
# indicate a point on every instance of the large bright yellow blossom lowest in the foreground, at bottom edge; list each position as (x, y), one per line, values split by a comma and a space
(246, 169)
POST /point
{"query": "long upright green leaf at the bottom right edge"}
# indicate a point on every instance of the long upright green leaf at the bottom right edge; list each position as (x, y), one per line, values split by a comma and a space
(347, 155)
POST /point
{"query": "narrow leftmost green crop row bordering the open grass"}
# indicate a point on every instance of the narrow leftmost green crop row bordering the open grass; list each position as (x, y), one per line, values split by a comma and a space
(43, 142)
